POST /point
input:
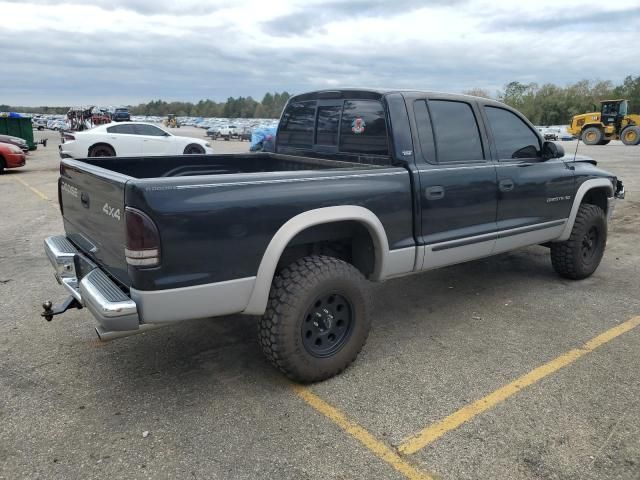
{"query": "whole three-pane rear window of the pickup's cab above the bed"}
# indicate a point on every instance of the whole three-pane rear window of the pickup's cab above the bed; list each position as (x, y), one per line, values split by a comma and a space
(349, 126)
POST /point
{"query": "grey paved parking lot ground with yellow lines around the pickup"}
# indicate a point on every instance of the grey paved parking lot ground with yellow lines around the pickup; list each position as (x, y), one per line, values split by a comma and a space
(492, 369)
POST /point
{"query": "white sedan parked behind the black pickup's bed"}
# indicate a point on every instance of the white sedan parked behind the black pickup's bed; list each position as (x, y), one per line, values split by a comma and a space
(129, 139)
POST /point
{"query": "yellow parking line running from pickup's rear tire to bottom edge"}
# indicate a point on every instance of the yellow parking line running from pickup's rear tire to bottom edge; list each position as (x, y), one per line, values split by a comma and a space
(378, 448)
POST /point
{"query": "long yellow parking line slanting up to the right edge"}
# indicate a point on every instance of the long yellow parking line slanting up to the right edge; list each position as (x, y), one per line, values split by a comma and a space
(453, 421)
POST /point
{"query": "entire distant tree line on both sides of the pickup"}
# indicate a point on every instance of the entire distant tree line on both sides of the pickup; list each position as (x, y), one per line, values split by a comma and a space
(545, 104)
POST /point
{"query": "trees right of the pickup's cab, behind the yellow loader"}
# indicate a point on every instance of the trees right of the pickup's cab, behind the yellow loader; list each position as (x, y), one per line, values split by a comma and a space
(549, 104)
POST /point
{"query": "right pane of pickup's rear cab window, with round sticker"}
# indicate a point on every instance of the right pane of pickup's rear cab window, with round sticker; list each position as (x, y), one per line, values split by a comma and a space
(363, 128)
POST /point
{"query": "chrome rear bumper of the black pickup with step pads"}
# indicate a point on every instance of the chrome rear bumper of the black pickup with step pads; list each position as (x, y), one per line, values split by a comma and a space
(111, 307)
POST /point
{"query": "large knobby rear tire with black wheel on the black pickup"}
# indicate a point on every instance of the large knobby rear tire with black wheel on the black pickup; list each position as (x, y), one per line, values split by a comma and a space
(297, 295)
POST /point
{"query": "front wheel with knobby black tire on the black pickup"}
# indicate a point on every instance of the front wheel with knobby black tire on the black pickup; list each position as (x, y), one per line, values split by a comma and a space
(579, 256)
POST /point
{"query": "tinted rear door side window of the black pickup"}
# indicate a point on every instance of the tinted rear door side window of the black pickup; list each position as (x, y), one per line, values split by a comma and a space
(456, 132)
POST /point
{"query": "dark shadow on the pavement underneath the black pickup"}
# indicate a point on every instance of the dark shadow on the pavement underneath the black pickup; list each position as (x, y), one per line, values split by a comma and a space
(226, 349)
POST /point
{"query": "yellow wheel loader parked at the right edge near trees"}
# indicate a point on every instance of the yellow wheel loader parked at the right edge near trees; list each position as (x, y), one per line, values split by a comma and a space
(612, 122)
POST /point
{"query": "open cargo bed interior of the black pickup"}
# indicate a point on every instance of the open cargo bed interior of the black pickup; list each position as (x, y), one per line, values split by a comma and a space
(190, 165)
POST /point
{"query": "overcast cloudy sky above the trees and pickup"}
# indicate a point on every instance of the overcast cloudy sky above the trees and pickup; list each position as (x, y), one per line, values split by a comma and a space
(111, 52)
